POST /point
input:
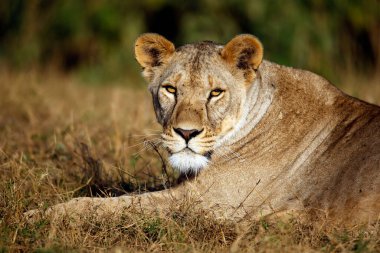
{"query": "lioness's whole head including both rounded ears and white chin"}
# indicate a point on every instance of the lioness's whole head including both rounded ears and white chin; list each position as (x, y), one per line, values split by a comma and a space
(198, 92)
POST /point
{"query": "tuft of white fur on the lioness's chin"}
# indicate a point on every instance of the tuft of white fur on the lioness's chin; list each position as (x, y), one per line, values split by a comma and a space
(187, 161)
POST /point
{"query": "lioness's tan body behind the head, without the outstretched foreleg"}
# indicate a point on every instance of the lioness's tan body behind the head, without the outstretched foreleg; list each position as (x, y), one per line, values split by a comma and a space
(315, 148)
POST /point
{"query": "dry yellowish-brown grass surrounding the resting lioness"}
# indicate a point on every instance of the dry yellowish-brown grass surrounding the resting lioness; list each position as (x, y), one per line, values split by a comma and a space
(60, 140)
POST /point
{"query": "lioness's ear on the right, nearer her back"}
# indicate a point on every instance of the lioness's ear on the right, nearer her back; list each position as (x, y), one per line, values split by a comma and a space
(244, 54)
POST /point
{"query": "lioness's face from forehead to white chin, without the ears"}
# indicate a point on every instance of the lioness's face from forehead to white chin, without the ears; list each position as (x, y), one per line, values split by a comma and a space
(196, 107)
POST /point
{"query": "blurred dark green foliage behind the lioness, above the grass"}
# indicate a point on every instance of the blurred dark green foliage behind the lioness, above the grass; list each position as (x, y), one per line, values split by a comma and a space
(94, 39)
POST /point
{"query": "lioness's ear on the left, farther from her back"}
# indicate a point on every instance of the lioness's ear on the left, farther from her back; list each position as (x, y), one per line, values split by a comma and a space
(152, 51)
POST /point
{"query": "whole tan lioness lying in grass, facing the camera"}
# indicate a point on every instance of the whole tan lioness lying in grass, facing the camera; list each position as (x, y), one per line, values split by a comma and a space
(261, 138)
